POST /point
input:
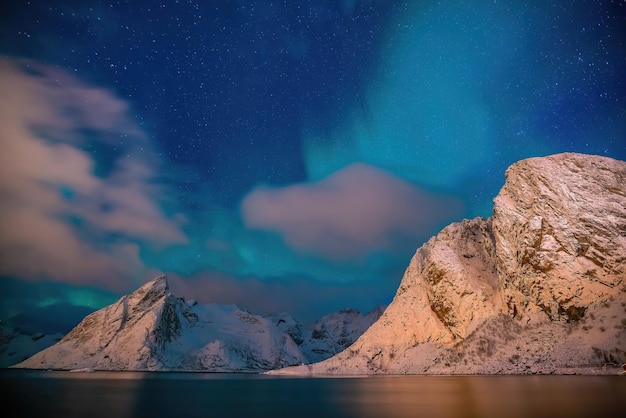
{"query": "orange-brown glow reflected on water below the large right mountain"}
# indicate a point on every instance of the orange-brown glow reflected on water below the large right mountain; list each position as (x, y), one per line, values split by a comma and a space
(491, 396)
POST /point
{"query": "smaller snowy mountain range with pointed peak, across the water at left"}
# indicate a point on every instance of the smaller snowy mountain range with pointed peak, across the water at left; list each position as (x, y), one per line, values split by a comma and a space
(151, 329)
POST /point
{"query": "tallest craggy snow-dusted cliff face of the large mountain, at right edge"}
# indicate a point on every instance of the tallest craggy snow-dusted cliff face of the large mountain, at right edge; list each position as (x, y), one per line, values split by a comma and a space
(560, 229)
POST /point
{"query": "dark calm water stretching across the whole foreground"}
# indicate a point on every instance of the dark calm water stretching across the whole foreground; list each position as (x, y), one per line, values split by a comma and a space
(129, 394)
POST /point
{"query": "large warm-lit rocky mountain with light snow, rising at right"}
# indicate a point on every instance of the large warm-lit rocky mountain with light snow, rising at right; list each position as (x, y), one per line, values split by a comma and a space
(539, 287)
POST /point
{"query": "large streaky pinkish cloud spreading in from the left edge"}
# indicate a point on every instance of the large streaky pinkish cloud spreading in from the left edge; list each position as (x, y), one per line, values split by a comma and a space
(62, 216)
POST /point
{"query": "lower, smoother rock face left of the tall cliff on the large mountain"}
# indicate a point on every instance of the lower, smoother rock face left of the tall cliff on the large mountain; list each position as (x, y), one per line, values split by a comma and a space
(448, 289)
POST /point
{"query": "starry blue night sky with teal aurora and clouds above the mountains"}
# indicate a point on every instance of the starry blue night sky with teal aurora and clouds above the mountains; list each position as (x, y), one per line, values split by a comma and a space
(278, 155)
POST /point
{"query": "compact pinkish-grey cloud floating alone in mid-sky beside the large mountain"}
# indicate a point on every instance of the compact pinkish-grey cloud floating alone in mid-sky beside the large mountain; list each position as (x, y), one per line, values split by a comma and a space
(354, 212)
